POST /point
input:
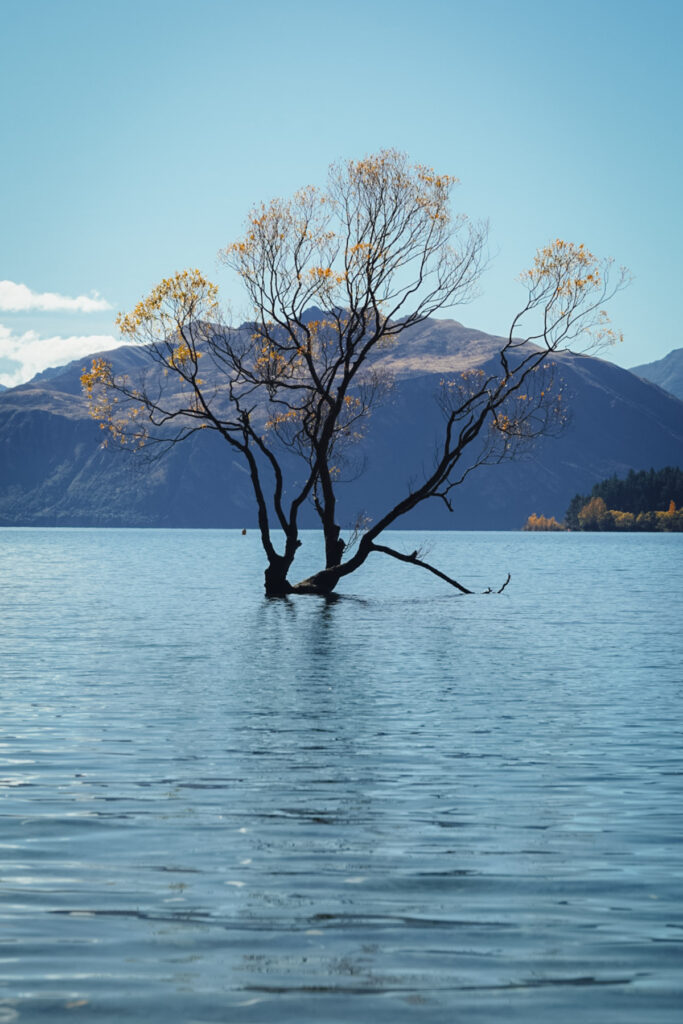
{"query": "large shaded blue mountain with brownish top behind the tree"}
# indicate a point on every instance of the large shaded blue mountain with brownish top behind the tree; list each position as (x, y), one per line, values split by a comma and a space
(54, 471)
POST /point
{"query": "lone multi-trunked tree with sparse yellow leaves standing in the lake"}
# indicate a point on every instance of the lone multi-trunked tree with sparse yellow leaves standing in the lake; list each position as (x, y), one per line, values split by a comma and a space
(379, 251)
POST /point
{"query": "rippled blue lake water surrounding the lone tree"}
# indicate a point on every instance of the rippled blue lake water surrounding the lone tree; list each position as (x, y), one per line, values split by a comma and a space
(405, 805)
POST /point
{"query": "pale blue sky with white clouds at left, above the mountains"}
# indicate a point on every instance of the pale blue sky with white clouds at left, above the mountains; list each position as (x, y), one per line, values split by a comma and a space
(137, 136)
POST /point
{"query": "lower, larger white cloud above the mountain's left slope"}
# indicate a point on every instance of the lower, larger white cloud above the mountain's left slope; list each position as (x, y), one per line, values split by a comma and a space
(30, 354)
